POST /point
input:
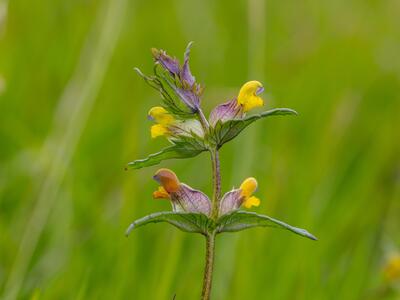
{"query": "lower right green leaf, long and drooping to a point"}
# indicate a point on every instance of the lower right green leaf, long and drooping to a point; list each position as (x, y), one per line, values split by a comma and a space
(241, 220)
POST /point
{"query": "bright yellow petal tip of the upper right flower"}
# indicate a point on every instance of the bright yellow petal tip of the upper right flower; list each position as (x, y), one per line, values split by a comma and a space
(248, 95)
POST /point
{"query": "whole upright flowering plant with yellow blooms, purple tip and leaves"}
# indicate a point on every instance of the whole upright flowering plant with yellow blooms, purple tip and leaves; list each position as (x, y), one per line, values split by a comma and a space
(182, 122)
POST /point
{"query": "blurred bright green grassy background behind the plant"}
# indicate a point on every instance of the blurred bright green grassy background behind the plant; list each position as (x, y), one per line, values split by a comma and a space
(73, 113)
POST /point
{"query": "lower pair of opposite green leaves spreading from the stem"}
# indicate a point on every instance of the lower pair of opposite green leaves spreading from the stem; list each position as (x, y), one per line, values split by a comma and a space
(199, 223)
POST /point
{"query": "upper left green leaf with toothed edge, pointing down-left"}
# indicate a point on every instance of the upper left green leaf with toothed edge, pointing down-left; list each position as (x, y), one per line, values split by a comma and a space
(184, 147)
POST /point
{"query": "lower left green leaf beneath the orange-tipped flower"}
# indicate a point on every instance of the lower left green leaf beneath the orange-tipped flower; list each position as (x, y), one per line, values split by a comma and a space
(188, 222)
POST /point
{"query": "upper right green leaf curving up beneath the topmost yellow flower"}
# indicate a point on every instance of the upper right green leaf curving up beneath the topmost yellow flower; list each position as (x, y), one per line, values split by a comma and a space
(223, 132)
